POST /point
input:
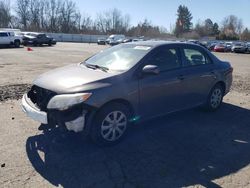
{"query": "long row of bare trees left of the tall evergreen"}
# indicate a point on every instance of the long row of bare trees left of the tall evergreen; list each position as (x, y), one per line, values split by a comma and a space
(64, 16)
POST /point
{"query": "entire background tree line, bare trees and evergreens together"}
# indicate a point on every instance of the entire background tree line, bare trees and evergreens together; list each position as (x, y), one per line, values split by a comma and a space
(64, 16)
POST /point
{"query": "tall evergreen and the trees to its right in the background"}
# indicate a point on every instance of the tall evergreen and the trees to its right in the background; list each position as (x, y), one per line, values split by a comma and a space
(231, 27)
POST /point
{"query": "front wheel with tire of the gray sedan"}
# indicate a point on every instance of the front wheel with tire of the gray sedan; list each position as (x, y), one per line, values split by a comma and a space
(105, 131)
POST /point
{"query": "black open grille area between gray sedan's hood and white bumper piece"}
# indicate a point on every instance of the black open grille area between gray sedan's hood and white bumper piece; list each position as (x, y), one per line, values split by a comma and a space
(40, 97)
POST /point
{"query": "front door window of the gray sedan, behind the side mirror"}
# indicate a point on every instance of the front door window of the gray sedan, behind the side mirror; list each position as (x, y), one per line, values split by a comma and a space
(165, 59)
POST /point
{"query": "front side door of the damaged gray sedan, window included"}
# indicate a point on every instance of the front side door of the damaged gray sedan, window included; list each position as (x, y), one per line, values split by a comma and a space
(161, 93)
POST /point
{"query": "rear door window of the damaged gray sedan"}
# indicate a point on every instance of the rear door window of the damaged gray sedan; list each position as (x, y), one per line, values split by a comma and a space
(195, 57)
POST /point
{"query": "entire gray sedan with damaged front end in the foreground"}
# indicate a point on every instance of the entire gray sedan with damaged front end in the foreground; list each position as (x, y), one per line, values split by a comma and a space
(127, 83)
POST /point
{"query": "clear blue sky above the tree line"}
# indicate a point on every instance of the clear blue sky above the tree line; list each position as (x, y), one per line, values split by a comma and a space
(163, 12)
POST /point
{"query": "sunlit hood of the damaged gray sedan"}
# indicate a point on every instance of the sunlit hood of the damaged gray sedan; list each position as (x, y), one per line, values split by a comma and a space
(73, 78)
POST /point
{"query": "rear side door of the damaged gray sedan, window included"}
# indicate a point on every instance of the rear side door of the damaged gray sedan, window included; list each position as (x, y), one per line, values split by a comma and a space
(198, 76)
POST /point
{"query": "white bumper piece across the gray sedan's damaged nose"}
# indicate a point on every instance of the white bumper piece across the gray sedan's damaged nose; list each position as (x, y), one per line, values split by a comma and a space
(32, 111)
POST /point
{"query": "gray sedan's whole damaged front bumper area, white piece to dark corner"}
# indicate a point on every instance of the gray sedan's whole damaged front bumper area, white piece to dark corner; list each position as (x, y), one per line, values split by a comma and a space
(73, 119)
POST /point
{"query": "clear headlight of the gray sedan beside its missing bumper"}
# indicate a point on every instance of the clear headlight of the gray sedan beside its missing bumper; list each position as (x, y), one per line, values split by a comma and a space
(63, 102)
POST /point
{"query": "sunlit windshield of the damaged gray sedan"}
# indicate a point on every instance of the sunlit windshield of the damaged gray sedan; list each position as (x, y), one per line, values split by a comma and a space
(119, 58)
